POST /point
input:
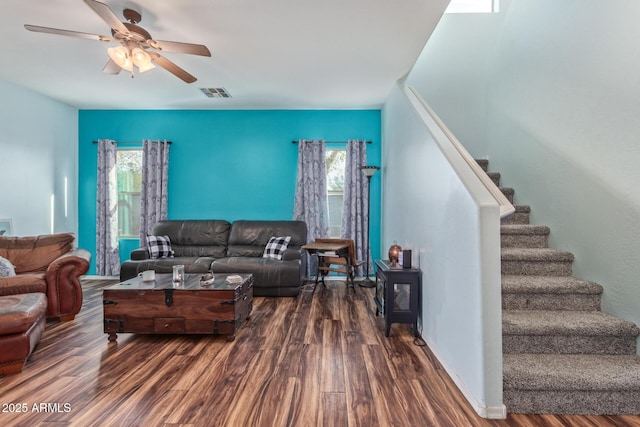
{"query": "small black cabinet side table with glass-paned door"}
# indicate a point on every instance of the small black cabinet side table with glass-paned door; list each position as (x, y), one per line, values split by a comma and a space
(397, 294)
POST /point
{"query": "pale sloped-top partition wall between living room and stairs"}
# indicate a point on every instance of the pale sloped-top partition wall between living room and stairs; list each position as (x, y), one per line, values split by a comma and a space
(429, 209)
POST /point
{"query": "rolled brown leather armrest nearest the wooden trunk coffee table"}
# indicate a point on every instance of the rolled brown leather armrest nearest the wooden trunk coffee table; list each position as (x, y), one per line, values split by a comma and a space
(64, 291)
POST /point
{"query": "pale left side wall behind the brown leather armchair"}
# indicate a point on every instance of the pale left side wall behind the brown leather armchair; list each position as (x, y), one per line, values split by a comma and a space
(39, 148)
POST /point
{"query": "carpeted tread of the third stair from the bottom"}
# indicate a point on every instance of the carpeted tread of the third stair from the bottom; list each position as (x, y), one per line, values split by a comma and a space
(512, 283)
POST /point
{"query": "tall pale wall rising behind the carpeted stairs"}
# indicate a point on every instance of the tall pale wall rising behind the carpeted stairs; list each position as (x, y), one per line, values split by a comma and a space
(548, 90)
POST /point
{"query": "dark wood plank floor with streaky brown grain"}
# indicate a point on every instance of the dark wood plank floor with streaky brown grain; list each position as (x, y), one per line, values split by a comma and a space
(317, 360)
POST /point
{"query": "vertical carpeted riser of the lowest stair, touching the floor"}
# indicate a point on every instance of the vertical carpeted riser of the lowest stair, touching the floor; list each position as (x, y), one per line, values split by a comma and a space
(572, 402)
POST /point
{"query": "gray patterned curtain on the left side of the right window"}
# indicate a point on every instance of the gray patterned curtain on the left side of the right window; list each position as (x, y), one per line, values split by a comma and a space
(310, 204)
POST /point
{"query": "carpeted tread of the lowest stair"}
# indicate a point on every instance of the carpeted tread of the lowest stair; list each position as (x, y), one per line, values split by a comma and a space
(571, 372)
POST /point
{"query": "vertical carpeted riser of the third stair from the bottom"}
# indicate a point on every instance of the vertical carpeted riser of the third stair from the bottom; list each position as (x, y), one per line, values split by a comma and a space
(575, 302)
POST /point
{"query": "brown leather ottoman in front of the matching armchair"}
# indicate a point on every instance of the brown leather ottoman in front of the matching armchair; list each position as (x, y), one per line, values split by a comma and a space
(22, 321)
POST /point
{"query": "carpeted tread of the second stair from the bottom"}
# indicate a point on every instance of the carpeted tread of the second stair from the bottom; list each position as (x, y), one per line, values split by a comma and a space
(565, 322)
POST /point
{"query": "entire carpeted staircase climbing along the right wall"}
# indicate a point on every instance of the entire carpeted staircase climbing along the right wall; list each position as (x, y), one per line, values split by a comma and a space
(561, 354)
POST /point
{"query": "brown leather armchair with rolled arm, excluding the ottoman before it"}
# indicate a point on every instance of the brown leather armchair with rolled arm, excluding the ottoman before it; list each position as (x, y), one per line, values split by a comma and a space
(46, 264)
